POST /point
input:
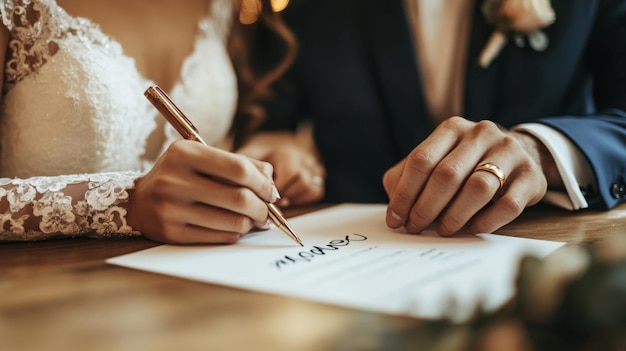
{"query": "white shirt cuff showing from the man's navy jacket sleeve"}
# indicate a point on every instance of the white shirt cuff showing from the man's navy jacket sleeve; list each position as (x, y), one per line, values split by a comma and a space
(570, 162)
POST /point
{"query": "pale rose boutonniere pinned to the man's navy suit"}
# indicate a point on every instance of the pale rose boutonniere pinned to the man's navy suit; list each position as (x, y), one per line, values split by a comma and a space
(515, 19)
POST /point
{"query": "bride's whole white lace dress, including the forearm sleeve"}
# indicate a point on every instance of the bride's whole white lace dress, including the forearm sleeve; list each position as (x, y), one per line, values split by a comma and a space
(73, 112)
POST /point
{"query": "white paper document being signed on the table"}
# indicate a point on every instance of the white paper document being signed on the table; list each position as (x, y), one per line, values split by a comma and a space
(351, 258)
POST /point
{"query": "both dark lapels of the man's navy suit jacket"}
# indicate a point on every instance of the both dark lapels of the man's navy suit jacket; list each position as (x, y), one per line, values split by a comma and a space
(387, 39)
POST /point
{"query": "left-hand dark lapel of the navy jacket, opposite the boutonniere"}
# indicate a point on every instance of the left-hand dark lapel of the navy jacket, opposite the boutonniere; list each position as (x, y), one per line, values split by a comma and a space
(387, 40)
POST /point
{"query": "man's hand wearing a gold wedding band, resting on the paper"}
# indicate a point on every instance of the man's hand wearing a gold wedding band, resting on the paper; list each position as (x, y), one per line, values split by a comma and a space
(441, 181)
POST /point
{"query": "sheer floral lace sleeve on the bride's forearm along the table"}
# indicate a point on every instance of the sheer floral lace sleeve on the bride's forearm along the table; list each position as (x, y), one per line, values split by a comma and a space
(65, 206)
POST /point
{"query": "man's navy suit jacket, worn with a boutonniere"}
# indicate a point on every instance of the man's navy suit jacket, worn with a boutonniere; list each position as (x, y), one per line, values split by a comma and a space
(356, 78)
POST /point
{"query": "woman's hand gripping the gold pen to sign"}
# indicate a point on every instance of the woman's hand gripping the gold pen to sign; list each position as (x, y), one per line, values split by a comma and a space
(200, 194)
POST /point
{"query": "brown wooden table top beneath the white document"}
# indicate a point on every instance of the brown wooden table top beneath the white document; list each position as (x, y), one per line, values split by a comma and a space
(61, 295)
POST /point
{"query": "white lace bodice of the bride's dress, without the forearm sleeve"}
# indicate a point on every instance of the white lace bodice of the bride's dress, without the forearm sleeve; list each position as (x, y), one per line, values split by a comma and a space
(73, 101)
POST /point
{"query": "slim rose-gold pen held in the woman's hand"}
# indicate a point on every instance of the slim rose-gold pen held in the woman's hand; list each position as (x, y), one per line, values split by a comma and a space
(183, 125)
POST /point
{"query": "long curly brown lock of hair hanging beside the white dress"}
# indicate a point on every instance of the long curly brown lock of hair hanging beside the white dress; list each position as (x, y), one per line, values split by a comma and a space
(261, 52)
